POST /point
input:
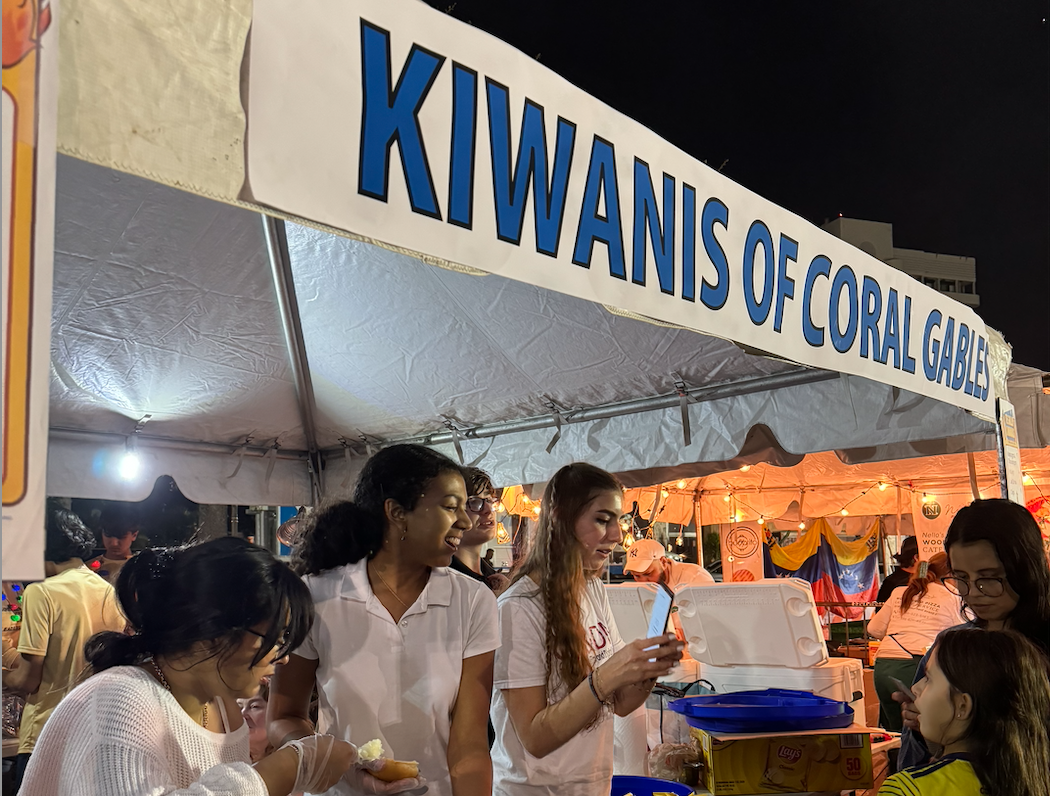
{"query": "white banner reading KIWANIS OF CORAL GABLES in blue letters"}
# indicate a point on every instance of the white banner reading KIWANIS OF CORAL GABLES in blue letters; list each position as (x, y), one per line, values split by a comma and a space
(400, 124)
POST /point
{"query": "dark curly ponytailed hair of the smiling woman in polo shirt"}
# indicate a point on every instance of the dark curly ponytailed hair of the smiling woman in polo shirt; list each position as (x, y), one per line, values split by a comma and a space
(346, 532)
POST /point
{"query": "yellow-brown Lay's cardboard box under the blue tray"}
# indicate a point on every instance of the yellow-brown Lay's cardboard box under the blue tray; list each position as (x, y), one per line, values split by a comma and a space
(787, 763)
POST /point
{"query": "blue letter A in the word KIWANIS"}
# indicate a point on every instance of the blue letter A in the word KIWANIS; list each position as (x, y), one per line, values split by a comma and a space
(594, 226)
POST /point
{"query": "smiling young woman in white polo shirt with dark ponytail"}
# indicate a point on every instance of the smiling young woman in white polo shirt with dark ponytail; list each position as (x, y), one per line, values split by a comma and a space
(403, 646)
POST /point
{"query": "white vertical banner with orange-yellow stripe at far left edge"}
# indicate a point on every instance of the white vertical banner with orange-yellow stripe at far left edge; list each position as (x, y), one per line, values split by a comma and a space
(30, 121)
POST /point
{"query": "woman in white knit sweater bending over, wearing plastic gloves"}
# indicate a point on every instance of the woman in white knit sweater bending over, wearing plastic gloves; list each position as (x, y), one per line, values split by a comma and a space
(160, 714)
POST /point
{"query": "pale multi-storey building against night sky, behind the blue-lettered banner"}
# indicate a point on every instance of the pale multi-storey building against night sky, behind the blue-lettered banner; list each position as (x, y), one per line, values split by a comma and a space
(949, 274)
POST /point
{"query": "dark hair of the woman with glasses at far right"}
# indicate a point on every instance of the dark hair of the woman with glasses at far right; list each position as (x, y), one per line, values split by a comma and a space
(1013, 532)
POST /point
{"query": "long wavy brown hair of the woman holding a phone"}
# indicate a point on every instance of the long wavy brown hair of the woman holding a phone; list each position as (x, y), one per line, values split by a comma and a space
(556, 563)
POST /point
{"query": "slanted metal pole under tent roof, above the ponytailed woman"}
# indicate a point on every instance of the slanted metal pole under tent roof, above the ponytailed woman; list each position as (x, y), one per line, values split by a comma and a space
(288, 304)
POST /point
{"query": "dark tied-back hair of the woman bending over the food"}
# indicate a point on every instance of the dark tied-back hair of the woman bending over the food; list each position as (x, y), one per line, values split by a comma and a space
(206, 594)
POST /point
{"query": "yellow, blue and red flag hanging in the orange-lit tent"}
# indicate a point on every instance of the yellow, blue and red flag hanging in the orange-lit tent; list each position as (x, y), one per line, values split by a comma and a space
(839, 572)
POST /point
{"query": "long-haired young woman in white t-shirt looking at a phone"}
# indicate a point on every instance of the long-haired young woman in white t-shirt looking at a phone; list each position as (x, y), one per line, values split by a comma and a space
(562, 668)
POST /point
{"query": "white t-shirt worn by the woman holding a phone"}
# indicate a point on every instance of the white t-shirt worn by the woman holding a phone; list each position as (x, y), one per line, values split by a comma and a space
(583, 766)
